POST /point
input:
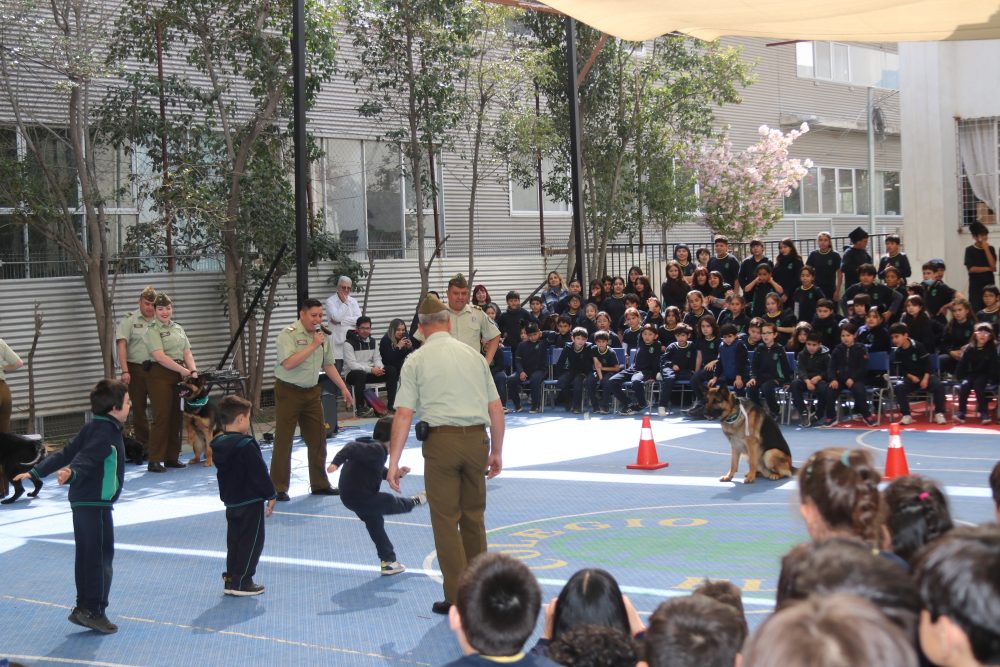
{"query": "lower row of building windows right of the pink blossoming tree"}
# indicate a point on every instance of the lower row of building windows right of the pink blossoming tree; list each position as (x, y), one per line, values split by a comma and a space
(844, 191)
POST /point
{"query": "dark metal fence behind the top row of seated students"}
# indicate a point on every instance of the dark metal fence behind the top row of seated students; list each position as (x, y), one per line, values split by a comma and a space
(622, 256)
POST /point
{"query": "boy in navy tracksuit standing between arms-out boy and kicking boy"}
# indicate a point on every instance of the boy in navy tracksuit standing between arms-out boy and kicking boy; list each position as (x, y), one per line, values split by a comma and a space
(244, 486)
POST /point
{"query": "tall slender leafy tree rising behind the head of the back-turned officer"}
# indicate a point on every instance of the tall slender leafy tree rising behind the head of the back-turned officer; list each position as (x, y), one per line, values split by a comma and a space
(412, 55)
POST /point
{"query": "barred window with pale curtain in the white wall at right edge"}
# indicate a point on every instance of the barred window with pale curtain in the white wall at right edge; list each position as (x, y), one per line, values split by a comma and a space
(979, 163)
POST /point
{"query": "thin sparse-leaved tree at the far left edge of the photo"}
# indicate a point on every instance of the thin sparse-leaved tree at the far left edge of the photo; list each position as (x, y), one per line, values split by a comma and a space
(55, 186)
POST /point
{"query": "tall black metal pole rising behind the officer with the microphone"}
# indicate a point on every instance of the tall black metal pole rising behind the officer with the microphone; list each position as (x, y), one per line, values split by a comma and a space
(301, 172)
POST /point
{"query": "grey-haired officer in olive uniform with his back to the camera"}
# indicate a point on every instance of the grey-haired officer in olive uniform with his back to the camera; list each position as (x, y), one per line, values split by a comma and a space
(449, 386)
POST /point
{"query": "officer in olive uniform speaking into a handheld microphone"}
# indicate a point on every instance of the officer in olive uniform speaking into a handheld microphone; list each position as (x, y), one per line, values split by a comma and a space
(303, 352)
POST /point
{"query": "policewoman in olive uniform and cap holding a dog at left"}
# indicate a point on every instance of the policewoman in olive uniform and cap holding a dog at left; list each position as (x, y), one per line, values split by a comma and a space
(172, 362)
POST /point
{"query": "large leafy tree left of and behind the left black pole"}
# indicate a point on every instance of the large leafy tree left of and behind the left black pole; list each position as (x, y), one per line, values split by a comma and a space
(228, 156)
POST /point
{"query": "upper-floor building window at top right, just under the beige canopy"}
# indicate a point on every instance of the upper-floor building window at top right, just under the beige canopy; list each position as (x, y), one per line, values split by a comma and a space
(847, 63)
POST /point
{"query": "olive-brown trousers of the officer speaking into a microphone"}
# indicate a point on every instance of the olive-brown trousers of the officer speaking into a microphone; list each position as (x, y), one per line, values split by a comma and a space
(295, 405)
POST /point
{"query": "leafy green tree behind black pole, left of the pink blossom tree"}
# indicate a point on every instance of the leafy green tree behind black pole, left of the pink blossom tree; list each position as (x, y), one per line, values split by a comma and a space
(639, 105)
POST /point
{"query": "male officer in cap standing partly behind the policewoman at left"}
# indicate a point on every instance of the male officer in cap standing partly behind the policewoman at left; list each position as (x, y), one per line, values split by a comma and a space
(130, 341)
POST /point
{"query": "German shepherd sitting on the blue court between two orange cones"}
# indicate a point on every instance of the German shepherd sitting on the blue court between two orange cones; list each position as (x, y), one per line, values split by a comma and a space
(752, 433)
